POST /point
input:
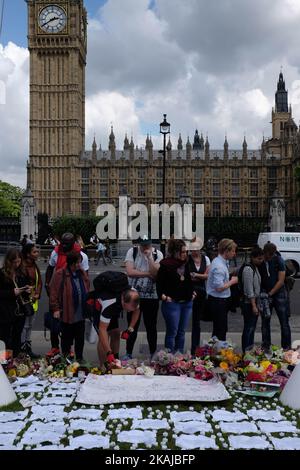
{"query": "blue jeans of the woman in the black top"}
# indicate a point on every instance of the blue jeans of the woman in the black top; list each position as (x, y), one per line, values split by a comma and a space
(177, 316)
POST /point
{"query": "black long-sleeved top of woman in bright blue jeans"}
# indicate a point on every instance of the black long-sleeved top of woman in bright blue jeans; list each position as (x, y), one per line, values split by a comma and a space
(170, 283)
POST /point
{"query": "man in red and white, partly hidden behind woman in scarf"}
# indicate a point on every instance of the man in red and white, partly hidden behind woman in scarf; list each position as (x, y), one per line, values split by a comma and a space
(58, 260)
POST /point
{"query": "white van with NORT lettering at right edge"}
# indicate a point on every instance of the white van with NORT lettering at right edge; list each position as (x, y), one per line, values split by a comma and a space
(288, 244)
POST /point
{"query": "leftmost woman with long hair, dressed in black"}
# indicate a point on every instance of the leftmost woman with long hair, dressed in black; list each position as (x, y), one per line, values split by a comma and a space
(13, 285)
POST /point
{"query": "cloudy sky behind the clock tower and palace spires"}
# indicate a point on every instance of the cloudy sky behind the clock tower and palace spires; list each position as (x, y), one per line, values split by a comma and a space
(211, 65)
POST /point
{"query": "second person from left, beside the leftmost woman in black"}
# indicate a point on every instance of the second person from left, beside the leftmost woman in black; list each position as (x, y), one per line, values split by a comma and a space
(30, 254)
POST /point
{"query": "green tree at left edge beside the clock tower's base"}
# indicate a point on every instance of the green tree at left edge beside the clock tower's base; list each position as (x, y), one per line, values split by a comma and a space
(10, 200)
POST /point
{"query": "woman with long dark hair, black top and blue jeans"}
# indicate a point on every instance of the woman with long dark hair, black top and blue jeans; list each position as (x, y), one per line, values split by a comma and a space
(175, 289)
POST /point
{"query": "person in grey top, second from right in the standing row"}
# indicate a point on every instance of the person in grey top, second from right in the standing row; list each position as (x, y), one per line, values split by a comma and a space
(249, 283)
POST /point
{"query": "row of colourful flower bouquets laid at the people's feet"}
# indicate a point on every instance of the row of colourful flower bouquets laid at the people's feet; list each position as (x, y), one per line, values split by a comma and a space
(214, 359)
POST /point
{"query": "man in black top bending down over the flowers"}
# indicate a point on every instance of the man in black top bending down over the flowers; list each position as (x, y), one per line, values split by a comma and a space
(111, 296)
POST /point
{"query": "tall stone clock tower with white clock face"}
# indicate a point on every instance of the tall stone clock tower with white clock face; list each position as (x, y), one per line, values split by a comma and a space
(57, 45)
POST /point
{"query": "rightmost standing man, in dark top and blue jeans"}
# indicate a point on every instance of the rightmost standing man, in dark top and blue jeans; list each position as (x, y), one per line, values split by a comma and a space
(273, 276)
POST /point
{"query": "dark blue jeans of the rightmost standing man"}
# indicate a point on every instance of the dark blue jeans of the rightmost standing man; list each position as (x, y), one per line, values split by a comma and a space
(280, 303)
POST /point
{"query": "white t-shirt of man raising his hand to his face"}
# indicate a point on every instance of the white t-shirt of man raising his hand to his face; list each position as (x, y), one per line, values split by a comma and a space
(144, 285)
